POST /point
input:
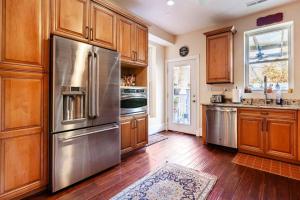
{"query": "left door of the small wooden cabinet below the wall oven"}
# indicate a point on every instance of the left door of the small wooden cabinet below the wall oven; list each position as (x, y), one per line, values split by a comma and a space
(126, 136)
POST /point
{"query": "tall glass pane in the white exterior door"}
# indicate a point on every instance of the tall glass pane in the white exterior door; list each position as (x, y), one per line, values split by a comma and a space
(181, 95)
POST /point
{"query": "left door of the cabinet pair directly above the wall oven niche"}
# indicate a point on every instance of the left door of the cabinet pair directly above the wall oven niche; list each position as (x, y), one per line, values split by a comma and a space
(126, 39)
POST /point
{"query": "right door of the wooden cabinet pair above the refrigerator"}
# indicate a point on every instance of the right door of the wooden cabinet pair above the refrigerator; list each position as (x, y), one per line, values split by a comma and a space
(103, 27)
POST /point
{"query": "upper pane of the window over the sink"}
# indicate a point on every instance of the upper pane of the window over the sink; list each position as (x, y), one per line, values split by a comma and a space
(272, 45)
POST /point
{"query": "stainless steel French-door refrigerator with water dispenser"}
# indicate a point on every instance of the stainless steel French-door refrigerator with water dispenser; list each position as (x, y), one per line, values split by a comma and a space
(85, 104)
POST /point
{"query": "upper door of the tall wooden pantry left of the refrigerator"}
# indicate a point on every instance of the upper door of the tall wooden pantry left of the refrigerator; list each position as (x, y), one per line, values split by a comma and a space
(22, 34)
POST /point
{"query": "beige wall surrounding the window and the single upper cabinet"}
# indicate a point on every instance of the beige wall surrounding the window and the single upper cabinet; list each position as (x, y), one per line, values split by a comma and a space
(196, 41)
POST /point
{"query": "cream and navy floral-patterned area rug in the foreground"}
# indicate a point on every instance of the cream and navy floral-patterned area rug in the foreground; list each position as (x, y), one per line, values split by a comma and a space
(170, 182)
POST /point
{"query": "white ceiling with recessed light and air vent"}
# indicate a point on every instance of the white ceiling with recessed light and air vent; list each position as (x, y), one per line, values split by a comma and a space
(189, 15)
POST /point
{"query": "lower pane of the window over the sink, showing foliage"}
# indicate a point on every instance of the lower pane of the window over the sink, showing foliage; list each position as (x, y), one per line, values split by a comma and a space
(276, 72)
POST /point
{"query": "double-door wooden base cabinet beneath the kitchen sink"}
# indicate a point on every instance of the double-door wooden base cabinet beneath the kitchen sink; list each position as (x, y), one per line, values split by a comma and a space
(270, 133)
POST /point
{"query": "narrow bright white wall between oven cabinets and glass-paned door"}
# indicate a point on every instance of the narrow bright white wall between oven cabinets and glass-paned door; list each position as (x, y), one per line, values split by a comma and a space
(157, 123)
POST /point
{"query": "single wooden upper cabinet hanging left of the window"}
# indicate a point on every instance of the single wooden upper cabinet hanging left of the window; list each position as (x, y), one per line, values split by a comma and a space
(219, 56)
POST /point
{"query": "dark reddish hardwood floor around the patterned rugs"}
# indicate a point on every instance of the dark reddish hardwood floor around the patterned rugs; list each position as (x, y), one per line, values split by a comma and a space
(234, 181)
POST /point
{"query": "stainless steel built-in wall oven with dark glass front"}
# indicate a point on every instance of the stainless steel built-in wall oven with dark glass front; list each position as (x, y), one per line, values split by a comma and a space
(133, 100)
